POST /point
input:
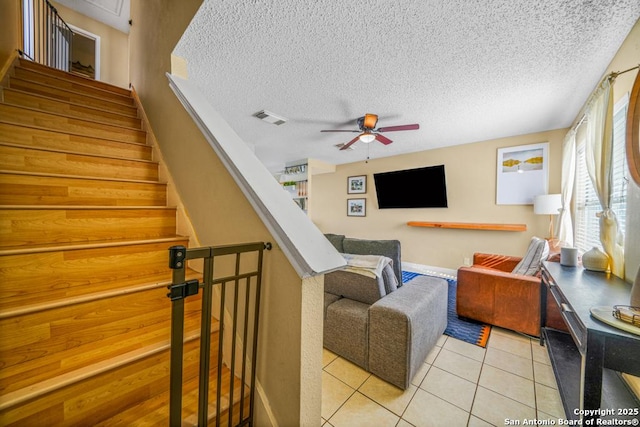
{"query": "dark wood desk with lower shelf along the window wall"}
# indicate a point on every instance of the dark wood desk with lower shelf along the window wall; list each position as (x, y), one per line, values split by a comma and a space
(586, 359)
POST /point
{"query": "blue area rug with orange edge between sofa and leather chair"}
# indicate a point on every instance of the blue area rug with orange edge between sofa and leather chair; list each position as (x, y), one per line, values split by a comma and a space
(464, 330)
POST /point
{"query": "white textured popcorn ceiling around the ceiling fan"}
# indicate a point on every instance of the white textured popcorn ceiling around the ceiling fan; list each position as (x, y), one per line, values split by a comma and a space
(464, 70)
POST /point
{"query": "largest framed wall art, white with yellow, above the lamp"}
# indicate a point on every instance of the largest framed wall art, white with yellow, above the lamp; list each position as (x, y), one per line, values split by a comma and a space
(522, 173)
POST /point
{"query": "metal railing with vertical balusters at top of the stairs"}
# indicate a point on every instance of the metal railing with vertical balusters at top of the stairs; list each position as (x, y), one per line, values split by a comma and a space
(46, 37)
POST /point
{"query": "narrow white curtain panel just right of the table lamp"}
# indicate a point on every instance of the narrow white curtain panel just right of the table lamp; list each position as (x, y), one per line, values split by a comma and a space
(565, 227)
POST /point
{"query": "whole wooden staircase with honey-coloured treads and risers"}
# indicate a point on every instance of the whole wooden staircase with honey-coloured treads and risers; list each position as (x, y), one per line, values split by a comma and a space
(84, 233)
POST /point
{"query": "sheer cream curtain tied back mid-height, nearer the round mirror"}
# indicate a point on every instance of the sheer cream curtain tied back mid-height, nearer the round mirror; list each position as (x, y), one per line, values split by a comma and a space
(599, 155)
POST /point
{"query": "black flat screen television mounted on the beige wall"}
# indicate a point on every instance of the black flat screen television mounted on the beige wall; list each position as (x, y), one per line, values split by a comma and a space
(412, 188)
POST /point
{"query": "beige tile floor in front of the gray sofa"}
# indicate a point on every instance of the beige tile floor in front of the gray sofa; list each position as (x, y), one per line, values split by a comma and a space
(460, 384)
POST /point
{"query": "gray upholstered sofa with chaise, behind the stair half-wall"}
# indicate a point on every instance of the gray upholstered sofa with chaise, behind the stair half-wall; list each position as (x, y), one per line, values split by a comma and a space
(378, 323)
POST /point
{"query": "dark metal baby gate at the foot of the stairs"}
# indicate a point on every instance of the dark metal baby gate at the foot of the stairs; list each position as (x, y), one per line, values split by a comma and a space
(236, 290)
